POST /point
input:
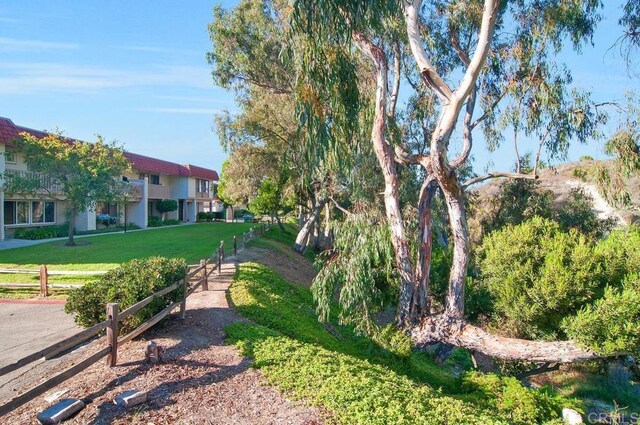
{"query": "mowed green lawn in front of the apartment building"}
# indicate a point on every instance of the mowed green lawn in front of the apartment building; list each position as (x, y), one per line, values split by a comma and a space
(191, 242)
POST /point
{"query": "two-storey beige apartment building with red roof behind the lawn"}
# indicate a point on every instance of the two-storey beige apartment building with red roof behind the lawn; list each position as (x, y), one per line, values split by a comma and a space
(151, 180)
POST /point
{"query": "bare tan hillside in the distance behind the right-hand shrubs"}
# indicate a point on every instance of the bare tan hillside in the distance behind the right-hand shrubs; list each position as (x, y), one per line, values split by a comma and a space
(561, 179)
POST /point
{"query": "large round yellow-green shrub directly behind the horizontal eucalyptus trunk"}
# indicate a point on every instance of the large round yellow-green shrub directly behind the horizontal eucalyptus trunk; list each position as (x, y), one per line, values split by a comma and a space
(536, 274)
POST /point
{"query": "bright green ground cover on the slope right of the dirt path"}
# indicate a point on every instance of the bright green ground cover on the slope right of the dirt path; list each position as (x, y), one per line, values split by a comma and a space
(361, 379)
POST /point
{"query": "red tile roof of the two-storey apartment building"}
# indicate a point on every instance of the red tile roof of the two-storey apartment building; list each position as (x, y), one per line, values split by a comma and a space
(145, 164)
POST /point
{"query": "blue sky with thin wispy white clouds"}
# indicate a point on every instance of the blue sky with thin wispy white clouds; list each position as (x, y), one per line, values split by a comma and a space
(136, 72)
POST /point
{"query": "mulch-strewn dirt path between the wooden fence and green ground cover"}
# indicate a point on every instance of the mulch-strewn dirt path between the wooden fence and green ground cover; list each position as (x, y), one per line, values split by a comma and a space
(200, 381)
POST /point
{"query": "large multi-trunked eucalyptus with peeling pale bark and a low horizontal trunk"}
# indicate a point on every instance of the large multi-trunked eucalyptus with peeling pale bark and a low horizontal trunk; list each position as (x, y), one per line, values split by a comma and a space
(502, 56)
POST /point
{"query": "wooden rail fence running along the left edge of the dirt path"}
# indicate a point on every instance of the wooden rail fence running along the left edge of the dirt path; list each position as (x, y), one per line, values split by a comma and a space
(196, 276)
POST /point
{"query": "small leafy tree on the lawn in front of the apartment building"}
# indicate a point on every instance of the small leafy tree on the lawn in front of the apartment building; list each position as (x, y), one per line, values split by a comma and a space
(77, 172)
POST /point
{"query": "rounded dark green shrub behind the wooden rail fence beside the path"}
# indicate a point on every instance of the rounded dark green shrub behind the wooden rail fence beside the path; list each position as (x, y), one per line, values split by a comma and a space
(131, 282)
